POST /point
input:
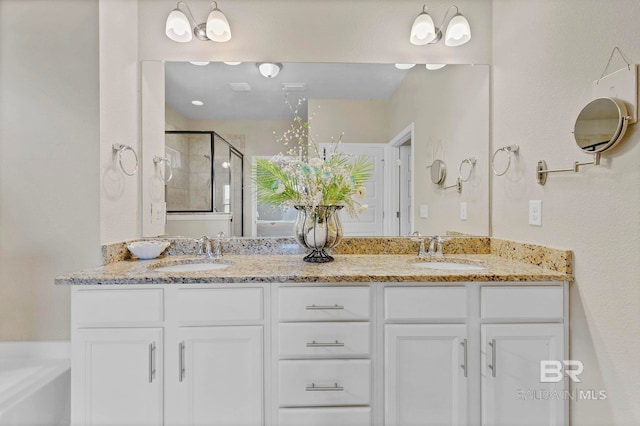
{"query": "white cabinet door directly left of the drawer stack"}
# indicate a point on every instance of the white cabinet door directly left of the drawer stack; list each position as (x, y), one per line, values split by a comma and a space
(215, 376)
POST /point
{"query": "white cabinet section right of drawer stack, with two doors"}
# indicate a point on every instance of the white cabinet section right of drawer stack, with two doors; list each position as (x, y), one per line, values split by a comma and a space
(470, 354)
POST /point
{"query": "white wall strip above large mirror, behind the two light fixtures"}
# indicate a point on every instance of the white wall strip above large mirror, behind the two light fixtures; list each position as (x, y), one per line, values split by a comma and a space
(316, 31)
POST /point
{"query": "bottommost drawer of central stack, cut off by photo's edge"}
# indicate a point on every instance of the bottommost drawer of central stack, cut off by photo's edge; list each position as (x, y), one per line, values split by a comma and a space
(324, 416)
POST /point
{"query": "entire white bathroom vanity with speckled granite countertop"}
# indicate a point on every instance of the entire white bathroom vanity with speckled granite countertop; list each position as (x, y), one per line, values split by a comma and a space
(365, 340)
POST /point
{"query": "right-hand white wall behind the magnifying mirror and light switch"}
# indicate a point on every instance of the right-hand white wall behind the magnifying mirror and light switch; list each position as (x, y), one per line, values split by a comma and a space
(546, 53)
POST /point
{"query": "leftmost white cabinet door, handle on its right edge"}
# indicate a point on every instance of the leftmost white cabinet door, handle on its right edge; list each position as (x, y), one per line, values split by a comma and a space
(117, 377)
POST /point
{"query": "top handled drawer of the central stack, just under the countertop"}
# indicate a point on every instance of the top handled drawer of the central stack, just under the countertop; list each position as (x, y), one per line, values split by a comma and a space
(324, 303)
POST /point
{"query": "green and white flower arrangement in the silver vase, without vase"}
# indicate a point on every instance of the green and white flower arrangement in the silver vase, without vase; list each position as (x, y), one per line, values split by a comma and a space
(302, 177)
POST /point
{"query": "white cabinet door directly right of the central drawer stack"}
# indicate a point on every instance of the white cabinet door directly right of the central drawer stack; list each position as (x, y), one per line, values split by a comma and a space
(425, 375)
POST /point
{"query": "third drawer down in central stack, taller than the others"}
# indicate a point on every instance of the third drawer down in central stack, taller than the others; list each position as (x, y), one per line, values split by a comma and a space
(324, 383)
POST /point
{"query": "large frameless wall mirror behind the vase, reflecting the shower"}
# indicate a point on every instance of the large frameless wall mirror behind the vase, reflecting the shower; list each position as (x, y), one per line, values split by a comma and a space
(404, 119)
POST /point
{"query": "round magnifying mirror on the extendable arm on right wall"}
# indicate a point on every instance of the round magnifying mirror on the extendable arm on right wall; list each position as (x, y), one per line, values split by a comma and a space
(600, 125)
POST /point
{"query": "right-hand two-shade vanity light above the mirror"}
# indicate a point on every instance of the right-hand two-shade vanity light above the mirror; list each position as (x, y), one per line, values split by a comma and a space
(424, 31)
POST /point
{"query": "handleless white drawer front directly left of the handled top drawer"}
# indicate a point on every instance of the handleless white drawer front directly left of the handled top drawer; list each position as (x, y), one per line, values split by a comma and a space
(220, 304)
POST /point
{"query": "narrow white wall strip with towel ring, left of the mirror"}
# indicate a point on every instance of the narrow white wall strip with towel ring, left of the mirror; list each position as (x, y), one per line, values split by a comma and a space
(119, 119)
